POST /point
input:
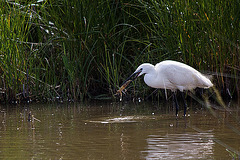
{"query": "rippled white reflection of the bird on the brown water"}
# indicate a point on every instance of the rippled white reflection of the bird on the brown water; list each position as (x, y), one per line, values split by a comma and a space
(180, 146)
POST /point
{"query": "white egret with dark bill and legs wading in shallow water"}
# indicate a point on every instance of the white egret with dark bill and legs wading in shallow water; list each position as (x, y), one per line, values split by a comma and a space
(171, 75)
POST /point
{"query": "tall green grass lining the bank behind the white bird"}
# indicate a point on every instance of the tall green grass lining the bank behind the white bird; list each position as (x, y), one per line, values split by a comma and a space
(75, 50)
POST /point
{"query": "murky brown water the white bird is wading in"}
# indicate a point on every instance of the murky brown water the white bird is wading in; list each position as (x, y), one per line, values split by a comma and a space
(118, 131)
